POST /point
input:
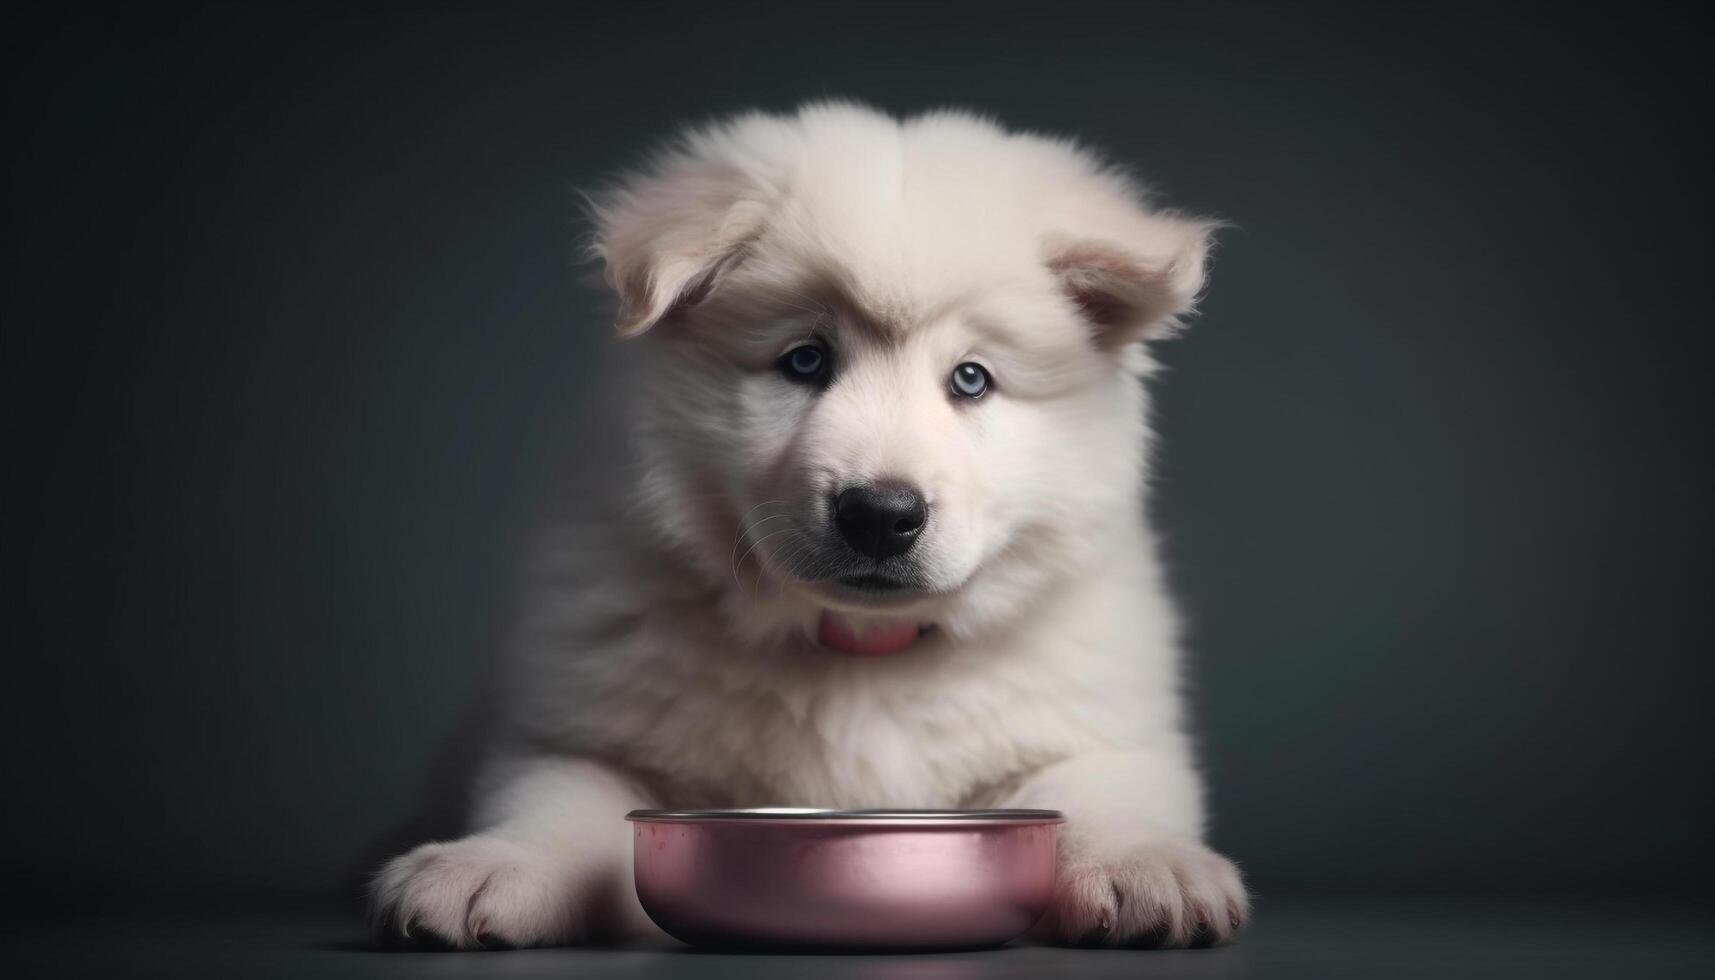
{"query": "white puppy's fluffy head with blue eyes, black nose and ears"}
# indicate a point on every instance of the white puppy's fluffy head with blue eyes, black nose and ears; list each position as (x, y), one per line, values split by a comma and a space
(894, 377)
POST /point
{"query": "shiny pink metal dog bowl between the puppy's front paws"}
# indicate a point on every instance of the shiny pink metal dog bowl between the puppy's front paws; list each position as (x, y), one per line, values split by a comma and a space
(846, 880)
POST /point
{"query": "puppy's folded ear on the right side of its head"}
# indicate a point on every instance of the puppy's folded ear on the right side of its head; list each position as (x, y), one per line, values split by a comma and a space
(1134, 277)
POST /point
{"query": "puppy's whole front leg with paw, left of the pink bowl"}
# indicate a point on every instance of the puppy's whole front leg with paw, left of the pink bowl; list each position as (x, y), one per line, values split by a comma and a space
(550, 866)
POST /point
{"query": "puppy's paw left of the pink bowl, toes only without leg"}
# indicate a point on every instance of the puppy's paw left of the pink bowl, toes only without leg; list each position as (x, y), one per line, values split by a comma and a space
(478, 893)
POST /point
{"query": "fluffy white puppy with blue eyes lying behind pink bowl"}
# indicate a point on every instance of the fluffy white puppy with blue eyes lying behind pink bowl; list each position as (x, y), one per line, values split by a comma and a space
(886, 543)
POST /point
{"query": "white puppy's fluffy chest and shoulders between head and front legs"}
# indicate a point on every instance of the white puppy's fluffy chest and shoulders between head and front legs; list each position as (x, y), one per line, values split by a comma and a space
(647, 677)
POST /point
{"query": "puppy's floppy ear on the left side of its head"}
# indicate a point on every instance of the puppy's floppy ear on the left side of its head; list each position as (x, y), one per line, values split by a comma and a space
(670, 236)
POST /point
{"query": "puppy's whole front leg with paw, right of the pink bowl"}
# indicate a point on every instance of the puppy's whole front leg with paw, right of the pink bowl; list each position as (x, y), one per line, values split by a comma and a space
(1133, 864)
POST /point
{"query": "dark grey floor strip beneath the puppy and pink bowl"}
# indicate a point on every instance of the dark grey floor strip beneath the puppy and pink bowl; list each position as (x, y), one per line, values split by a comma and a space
(1291, 938)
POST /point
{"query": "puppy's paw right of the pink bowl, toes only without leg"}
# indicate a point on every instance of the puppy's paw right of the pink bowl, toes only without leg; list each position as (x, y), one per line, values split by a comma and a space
(1162, 895)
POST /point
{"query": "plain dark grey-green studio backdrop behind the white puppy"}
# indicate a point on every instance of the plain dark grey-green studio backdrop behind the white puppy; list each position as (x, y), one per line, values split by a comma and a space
(296, 346)
